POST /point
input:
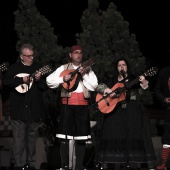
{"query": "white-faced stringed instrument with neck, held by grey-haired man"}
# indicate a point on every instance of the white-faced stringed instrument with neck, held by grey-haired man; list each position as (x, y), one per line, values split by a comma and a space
(22, 88)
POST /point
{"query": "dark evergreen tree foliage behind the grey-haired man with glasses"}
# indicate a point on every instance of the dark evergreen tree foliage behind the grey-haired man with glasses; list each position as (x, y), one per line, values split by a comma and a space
(33, 28)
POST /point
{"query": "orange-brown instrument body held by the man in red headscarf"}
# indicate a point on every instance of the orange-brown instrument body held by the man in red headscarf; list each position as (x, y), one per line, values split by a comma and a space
(69, 86)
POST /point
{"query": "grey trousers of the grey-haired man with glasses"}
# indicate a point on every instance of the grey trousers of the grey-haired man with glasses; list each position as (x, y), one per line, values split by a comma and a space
(24, 143)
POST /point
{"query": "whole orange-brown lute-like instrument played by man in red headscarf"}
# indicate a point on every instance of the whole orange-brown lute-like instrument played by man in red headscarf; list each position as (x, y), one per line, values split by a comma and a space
(75, 77)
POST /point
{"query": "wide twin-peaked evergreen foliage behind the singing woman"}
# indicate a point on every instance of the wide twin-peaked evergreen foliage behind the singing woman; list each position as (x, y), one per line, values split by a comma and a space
(106, 36)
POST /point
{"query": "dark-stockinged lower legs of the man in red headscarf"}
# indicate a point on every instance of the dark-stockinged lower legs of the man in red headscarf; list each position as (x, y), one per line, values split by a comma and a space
(79, 151)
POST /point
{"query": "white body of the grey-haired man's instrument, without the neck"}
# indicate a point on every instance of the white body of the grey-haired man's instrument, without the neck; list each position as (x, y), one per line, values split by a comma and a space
(22, 88)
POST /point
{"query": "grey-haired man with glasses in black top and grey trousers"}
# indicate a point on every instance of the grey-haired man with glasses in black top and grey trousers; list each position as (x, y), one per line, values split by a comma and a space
(26, 107)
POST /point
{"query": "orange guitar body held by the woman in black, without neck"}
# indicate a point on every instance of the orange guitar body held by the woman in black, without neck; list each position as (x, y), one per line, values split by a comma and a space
(103, 106)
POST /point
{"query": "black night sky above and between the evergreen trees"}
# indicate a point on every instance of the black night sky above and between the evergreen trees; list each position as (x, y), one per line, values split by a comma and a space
(148, 19)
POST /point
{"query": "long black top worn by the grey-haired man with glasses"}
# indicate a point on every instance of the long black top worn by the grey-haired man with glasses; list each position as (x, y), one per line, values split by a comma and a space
(28, 105)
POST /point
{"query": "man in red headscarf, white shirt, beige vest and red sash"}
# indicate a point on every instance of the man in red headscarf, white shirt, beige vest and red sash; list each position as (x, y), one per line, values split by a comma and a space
(74, 120)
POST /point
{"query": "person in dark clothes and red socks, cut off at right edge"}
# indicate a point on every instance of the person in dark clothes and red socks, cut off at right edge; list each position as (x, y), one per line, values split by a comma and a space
(162, 94)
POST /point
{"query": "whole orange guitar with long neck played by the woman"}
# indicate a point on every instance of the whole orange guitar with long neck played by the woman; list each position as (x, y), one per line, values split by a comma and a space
(106, 103)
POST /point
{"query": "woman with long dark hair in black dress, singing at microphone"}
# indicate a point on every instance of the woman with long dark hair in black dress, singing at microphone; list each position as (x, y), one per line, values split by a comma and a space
(125, 139)
